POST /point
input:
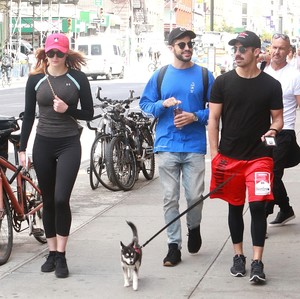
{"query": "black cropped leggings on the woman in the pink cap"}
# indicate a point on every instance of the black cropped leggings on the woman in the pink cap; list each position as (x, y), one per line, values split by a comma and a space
(56, 162)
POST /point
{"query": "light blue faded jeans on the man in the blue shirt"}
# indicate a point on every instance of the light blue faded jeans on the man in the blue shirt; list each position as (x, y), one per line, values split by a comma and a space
(192, 168)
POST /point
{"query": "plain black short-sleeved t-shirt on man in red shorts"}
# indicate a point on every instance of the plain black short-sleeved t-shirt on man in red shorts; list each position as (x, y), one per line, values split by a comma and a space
(246, 113)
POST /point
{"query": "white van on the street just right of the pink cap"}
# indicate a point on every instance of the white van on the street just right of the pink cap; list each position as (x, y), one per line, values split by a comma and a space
(104, 57)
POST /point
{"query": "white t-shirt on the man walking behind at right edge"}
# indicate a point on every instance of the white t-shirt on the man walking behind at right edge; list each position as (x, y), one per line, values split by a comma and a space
(289, 78)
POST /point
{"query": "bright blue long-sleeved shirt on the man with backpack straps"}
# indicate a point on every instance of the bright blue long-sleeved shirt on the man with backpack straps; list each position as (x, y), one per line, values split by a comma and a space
(185, 85)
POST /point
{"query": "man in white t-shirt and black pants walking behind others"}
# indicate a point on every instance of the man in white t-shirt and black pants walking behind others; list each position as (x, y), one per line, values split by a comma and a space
(287, 152)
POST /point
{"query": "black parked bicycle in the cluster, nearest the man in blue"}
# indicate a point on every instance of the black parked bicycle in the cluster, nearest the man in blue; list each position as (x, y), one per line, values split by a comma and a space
(131, 148)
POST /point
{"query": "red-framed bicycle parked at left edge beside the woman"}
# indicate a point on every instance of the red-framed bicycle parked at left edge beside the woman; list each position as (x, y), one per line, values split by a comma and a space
(20, 201)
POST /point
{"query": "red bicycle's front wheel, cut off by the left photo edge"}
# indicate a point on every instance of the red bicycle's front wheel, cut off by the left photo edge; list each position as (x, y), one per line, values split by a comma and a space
(6, 232)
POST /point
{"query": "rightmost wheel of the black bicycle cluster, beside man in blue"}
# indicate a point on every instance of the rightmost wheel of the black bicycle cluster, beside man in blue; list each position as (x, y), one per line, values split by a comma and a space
(148, 165)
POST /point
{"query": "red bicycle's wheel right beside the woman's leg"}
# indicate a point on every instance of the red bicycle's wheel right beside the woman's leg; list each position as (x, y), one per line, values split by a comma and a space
(33, 199)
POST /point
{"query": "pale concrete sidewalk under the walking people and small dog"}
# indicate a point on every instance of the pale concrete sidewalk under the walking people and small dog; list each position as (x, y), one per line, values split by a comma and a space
(94, 256)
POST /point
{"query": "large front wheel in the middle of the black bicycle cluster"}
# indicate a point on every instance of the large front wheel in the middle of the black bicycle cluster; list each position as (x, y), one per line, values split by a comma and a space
(121, 163)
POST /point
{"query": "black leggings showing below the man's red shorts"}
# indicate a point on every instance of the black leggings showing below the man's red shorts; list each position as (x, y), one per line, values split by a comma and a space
(258, 223)
